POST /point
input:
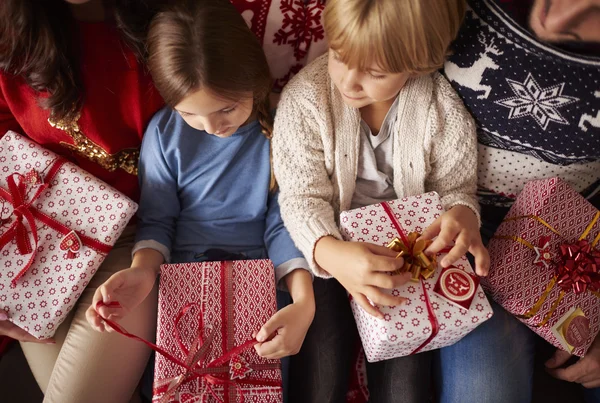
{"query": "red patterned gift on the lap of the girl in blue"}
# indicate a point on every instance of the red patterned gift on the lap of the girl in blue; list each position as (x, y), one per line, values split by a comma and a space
(234, 299)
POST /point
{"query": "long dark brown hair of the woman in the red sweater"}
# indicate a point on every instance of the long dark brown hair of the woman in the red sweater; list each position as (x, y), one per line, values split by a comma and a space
(36, 42)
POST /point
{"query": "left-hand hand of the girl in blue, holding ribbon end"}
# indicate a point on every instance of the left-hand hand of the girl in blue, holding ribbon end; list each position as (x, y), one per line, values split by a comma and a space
(128, 287)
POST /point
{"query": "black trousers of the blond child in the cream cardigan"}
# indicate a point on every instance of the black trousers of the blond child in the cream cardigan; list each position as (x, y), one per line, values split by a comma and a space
(320, 372)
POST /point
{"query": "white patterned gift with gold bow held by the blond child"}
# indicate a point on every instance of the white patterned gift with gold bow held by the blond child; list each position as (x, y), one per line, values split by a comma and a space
(442, 306)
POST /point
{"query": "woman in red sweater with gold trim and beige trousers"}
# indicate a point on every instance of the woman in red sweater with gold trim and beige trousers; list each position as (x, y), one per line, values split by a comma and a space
(71, 79)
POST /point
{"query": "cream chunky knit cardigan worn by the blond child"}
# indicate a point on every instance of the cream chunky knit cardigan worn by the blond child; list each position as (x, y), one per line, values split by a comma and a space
(316, 142)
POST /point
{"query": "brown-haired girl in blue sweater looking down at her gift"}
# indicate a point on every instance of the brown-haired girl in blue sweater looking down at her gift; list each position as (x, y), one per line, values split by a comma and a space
(208, 192)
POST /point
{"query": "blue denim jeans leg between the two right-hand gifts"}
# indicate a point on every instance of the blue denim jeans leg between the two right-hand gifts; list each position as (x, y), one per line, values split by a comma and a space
(492, 364)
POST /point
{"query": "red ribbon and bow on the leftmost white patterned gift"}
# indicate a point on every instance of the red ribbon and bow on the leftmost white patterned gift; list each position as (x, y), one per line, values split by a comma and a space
(24, 212)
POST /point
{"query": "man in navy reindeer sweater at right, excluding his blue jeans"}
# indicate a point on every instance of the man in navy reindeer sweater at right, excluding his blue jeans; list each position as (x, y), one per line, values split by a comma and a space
(529, 73)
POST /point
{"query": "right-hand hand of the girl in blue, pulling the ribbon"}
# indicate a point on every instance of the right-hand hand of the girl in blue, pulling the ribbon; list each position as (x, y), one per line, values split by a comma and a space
(284, 333)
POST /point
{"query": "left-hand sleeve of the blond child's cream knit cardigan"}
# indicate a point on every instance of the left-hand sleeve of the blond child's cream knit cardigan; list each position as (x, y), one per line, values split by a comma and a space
(306, 190)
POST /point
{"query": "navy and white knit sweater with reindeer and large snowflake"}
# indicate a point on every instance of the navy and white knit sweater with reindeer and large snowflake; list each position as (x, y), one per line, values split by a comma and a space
(537, 108)
